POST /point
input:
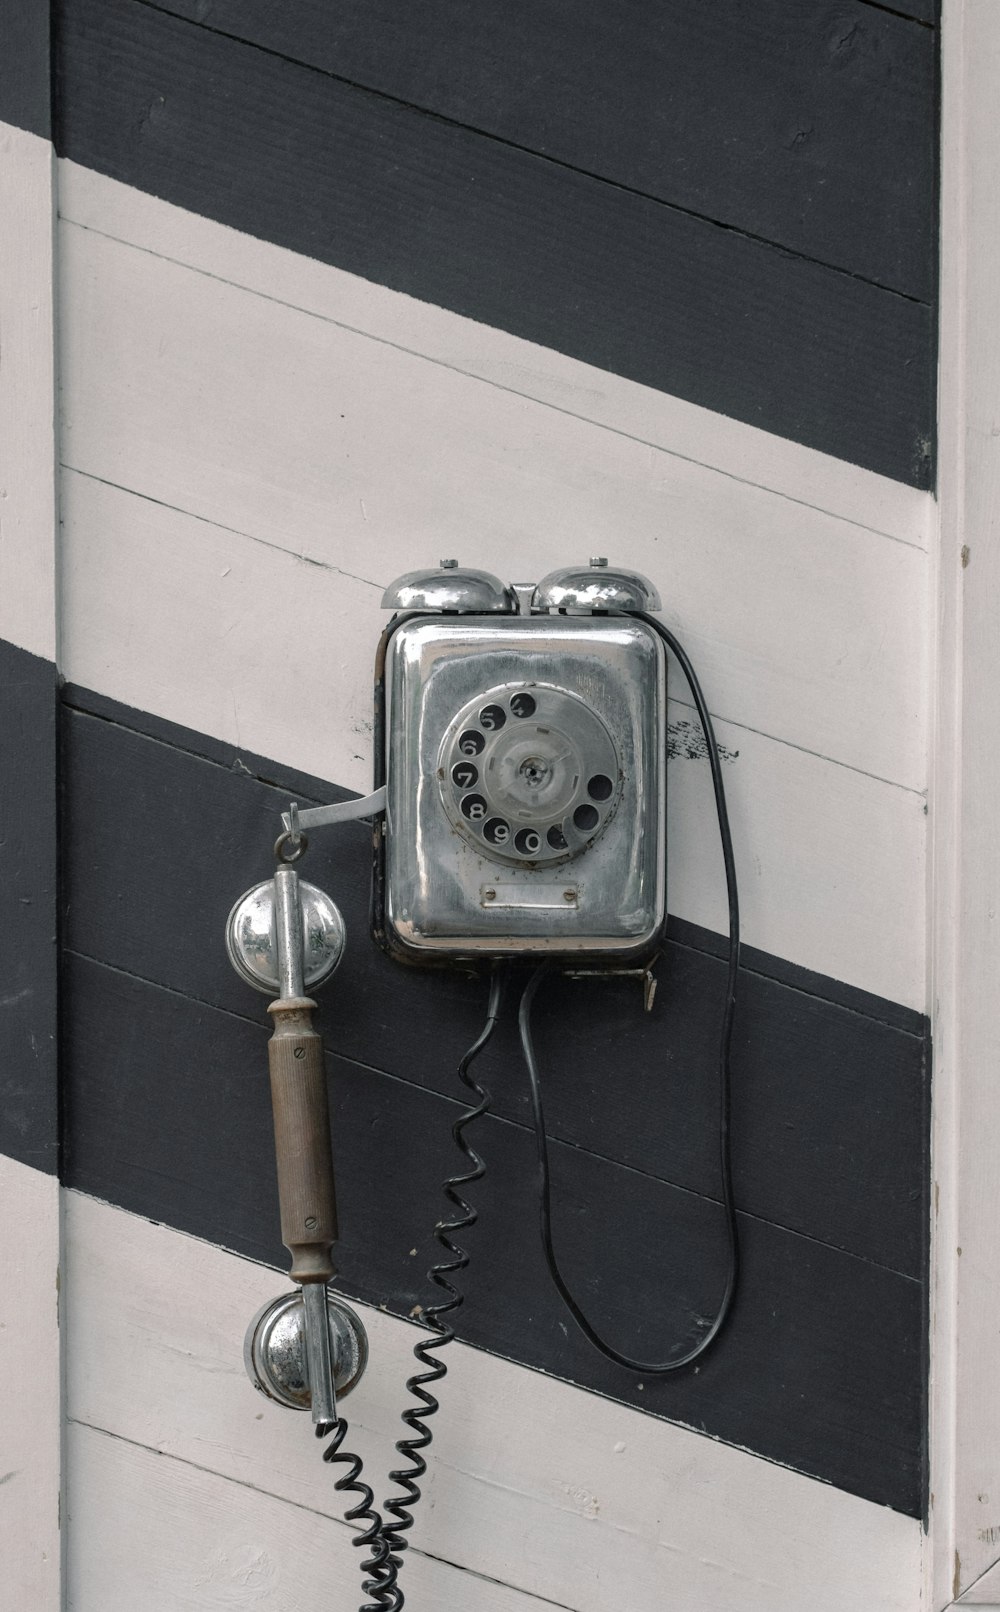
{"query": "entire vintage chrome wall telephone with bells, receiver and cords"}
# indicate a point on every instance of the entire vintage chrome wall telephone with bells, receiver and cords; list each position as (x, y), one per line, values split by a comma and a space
(520, 813)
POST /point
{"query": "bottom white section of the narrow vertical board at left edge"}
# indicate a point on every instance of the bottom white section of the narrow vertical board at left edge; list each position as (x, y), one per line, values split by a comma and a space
(30, 1373)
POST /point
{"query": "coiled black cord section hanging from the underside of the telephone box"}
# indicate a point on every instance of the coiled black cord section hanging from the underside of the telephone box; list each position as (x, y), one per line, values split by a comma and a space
(401, 1506)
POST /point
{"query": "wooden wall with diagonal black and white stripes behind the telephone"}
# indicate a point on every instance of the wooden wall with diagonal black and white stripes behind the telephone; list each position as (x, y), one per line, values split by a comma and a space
(338, 296)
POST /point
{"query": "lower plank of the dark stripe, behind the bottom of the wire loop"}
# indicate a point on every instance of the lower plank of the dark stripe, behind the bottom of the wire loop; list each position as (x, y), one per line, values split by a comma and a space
(169, 1116)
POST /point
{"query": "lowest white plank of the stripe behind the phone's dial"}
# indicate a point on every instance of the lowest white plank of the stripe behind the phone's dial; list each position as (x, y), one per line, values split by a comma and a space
(256, 647)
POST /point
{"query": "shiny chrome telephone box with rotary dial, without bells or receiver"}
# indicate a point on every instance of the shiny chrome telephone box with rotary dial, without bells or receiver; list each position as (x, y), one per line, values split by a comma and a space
(525, 770)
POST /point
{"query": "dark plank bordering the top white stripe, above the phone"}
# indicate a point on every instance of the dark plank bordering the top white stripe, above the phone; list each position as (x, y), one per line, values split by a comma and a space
(499, 235)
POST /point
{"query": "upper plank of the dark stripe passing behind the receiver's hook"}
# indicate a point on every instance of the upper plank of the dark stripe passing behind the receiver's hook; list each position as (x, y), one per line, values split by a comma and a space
(830, 1102)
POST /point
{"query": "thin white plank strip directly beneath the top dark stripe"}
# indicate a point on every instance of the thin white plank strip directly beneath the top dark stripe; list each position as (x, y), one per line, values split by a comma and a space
(685, 430)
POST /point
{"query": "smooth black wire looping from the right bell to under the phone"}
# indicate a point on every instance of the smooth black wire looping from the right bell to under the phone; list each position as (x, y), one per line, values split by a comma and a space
(646, 1368)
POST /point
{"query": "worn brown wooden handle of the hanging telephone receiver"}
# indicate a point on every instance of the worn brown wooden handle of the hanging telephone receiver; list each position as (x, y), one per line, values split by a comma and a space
(302, 1140)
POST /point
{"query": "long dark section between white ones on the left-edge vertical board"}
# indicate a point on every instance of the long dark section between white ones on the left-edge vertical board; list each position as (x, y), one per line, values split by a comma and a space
(28, 908)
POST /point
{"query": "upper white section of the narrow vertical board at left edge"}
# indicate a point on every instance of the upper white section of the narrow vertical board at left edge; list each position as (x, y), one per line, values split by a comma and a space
(27, 394)
